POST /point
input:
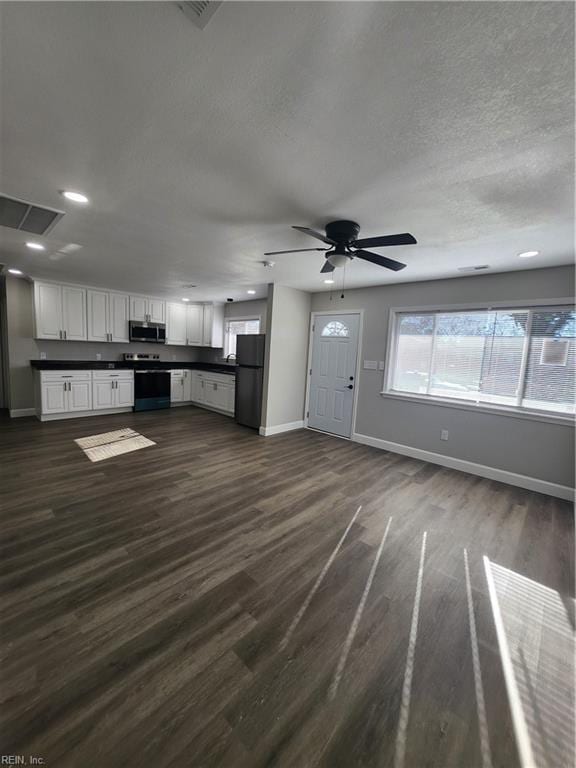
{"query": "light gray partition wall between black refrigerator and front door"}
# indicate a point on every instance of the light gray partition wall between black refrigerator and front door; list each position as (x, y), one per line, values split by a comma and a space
(287, 337)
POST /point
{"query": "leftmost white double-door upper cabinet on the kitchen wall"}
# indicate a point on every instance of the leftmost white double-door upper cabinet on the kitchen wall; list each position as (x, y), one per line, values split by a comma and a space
(60, 312)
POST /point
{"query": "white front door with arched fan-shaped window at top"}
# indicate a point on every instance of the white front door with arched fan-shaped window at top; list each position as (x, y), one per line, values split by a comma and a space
(333, 377)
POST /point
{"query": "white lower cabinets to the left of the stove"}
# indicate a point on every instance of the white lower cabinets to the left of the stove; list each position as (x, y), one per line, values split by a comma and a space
(82, 392)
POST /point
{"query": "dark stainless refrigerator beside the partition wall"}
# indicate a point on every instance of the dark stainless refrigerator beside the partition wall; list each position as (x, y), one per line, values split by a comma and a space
(249, 379)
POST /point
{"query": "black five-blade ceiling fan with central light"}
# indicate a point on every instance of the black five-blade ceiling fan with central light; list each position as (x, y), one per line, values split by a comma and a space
(342, 239)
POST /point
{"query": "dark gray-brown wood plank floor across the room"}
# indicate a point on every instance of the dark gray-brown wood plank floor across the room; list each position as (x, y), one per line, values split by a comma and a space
(153, 603)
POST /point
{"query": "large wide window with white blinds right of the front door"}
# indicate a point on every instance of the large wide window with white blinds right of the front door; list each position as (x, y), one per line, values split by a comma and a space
(520, 358)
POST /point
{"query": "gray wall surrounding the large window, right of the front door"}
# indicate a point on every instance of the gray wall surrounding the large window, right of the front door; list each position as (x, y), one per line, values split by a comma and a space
(537, 449)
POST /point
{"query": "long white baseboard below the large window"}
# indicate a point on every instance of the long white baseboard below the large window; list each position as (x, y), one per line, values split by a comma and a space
(491, 473)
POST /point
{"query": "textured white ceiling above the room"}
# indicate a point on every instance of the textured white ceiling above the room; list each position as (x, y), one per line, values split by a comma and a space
(199, 149)
